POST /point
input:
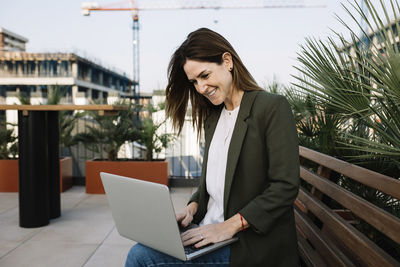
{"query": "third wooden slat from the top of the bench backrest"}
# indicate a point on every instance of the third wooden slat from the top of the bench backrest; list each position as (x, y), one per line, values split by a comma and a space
(360, 245)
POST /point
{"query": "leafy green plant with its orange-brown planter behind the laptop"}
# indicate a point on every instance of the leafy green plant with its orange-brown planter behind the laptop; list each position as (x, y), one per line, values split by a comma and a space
(107, 137)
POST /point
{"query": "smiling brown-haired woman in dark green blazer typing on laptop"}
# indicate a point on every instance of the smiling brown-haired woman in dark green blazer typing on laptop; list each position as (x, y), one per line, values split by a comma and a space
(250, 172)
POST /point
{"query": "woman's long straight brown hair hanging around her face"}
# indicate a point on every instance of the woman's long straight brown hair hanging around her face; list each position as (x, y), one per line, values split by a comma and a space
(202, 45)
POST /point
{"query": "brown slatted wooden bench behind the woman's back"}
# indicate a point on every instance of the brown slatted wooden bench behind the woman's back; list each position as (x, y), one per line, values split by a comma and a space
(329, 237)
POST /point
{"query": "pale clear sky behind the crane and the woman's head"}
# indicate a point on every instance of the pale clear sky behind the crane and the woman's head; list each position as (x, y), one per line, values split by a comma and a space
(267, 40)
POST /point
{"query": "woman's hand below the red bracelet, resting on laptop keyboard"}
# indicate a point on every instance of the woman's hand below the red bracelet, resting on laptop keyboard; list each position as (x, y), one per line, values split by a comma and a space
(206, 234)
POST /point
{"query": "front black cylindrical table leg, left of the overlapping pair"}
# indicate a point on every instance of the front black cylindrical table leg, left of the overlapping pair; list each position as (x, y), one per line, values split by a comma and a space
(33, 175)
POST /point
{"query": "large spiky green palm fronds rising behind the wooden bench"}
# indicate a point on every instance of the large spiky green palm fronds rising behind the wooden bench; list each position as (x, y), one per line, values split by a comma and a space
(361, 83)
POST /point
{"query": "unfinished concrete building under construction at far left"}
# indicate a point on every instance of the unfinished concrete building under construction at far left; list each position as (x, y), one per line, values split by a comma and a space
(33, 75)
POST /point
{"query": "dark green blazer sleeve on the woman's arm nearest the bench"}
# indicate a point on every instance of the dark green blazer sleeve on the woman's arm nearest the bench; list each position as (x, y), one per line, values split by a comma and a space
(283, 168)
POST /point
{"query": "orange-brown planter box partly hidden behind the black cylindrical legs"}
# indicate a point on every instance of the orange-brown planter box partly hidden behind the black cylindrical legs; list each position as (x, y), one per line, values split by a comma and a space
(9, 175)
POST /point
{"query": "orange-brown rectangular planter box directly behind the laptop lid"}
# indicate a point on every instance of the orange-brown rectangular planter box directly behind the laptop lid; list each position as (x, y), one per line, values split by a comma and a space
(152, 171)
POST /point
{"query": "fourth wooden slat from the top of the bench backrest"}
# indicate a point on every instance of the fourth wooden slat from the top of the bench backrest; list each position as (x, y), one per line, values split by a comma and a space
(323, 245)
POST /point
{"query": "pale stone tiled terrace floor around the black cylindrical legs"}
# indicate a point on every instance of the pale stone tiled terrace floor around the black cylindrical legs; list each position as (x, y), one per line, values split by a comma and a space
(84, 235)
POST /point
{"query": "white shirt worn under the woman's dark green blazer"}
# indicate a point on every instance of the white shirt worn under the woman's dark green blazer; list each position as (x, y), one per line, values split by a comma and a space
(216, 166)
